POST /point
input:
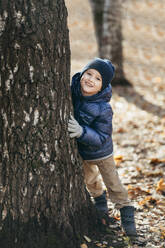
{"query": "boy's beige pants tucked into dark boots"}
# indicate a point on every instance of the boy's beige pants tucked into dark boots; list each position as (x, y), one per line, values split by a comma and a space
(95, 171)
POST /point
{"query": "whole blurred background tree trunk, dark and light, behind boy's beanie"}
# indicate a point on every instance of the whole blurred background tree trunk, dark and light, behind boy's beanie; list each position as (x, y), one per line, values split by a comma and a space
(107, 15)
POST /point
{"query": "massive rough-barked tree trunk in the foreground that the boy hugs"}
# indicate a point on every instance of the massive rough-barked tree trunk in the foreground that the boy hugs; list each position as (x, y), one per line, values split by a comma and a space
(43, 202)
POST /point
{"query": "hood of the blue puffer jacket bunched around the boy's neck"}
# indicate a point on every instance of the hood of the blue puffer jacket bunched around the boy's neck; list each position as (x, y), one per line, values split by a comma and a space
(104, 95)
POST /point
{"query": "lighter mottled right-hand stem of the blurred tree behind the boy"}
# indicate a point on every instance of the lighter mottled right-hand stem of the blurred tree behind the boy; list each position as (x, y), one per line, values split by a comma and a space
(111, 46)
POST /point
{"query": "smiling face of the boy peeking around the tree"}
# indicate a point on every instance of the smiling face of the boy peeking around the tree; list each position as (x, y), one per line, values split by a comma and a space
(91, 82)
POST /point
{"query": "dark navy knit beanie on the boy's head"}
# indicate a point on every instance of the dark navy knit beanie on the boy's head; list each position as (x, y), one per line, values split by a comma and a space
(104, 67)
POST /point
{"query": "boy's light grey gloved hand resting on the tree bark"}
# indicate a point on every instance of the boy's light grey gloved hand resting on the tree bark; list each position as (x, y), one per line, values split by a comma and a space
(74, 128)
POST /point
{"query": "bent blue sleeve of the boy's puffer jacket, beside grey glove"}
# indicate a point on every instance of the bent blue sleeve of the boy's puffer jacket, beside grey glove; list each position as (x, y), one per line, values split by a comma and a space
(96, 134)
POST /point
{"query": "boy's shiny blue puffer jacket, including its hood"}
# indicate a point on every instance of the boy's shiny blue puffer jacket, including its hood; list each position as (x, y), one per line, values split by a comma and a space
(94, 114)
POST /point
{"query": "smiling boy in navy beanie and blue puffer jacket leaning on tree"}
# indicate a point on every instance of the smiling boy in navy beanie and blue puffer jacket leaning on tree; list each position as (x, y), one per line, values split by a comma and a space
(92, 127)
